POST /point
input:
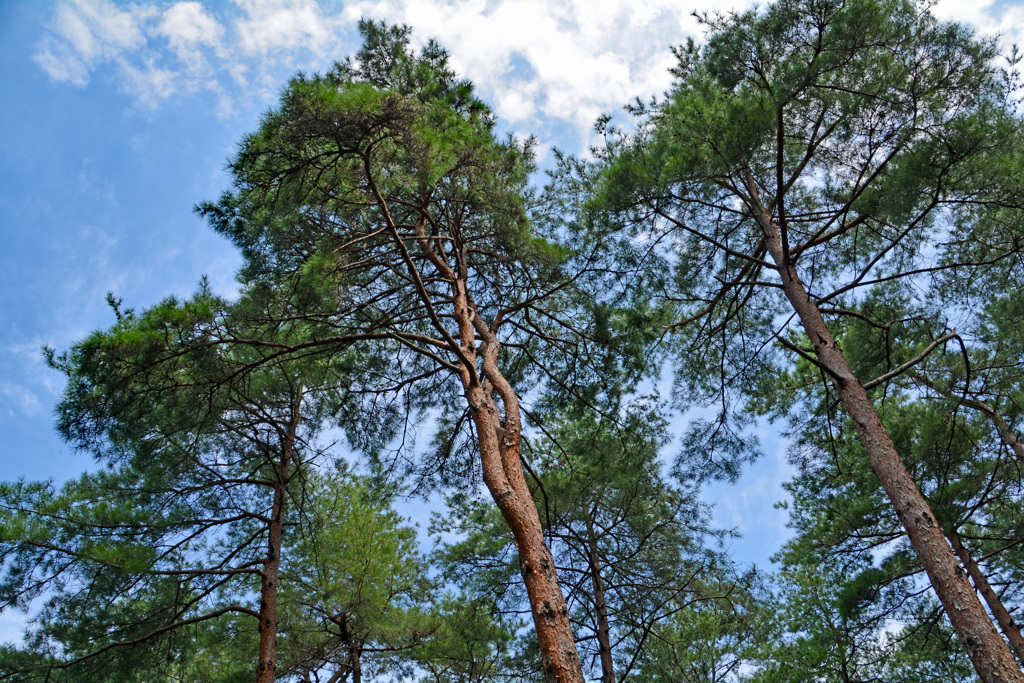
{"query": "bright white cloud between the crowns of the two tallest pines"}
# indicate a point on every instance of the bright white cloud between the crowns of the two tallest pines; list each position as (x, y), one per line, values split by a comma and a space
(586, 58)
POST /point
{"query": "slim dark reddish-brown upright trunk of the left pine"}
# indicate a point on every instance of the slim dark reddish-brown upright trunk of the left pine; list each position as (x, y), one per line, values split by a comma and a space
(268, 665)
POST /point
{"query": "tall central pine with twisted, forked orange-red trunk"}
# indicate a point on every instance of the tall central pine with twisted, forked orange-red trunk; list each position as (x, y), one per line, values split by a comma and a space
(381, 191)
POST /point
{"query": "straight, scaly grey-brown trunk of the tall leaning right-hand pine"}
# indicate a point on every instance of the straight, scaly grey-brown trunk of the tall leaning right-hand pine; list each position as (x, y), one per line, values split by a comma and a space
(989, 653)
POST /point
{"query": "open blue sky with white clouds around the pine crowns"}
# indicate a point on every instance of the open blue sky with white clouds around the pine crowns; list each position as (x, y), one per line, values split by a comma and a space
(117, 118)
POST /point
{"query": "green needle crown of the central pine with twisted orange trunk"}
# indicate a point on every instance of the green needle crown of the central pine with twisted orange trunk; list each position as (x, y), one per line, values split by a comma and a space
(372, 198)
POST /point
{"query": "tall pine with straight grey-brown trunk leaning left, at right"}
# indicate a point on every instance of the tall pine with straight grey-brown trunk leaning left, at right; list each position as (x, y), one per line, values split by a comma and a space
(808, 152)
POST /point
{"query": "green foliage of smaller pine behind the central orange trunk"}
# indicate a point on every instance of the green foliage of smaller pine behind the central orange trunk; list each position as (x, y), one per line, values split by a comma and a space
(609, 511)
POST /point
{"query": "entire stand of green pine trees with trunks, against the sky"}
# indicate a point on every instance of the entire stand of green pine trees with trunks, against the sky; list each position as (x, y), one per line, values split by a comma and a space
(821, 224)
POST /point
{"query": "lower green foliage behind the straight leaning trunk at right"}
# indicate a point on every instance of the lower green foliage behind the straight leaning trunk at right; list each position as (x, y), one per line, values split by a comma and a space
(850, 570)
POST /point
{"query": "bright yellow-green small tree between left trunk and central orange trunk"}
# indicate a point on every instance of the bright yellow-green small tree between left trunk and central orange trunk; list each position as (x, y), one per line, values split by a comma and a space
(355, 590)
